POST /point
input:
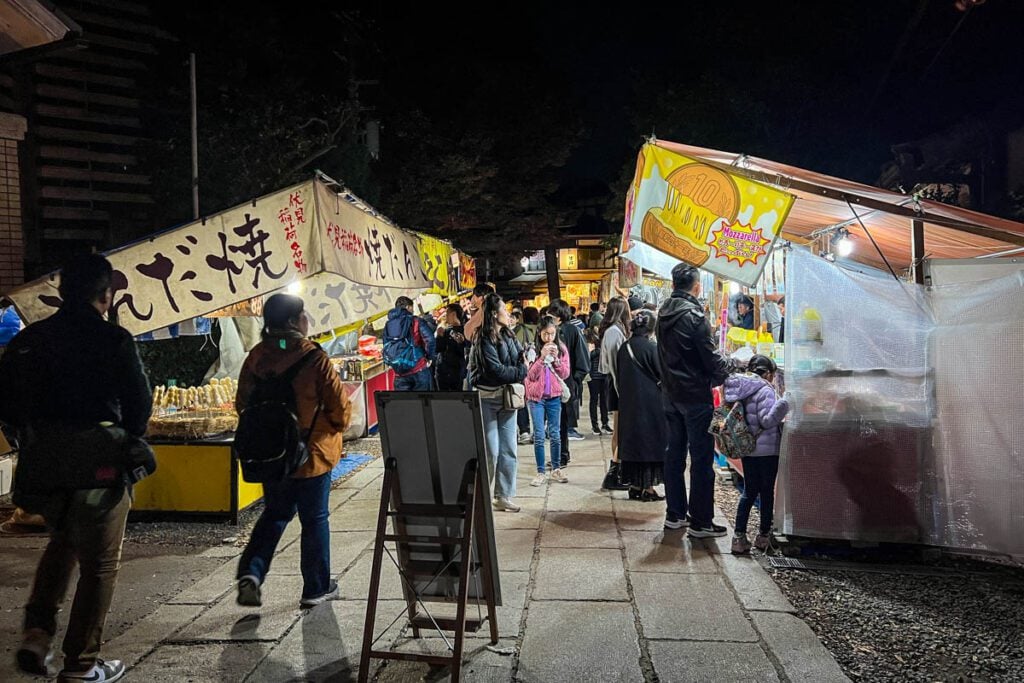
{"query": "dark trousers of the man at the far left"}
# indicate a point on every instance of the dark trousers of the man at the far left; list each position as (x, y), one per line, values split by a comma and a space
(90, 529)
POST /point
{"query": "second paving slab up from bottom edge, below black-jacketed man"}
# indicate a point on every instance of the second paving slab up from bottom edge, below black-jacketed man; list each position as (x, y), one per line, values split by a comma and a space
(690, 608)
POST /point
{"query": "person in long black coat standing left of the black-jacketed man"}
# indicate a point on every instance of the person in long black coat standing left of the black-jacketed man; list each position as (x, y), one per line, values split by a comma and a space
(644, 432)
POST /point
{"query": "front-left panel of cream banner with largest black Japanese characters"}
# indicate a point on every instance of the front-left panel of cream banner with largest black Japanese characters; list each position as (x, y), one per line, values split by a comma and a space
(202, 267)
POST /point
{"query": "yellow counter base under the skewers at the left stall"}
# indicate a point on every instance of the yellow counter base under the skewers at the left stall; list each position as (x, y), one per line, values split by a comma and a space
(196, 478)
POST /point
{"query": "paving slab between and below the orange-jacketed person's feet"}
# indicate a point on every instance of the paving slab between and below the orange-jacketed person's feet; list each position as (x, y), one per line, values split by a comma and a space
(228, 621)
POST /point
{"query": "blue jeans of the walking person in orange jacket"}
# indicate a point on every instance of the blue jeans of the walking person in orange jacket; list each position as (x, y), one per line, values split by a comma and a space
(281, 500)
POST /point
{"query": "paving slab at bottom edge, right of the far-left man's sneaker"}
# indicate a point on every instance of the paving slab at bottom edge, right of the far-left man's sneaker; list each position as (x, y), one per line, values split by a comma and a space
(211, 663)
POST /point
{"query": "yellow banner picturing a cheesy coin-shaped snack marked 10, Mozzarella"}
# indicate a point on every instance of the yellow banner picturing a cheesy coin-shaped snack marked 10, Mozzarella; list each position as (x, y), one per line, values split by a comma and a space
(680, 209)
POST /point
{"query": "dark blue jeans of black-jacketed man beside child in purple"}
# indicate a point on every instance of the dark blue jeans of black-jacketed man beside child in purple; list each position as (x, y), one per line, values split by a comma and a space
(689, 433)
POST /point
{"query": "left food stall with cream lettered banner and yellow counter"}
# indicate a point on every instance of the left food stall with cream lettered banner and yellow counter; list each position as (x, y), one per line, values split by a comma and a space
(316, 240)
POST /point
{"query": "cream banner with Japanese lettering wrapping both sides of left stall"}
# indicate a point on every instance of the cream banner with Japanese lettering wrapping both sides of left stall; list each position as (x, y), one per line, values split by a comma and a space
(267, 245)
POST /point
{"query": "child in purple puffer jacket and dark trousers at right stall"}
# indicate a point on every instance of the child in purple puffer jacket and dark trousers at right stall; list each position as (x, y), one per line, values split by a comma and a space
(765, 412)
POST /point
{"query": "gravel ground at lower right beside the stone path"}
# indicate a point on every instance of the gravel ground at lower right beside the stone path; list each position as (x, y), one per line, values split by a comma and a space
(953, 620)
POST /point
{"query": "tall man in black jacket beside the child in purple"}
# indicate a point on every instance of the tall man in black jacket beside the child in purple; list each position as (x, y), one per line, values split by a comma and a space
(691, 367)
